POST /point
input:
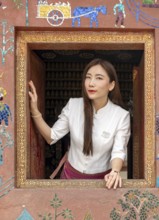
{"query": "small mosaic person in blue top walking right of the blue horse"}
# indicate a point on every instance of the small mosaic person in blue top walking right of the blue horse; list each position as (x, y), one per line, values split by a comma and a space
(119, 11)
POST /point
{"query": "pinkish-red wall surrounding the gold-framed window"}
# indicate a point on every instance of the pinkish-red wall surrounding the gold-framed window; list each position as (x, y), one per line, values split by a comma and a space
(83, 203)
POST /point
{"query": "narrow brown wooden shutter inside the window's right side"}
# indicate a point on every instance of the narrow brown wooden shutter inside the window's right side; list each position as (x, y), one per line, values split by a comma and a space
(138, 121)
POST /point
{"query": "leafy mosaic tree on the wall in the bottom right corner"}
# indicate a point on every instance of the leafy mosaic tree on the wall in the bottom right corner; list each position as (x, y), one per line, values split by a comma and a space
(136, 205)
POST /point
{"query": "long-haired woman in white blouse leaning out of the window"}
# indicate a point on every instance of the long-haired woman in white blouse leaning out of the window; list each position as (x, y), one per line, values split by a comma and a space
(99, 127)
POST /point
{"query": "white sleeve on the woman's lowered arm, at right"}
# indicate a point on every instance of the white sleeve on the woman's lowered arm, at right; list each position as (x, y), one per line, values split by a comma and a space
(121, 138)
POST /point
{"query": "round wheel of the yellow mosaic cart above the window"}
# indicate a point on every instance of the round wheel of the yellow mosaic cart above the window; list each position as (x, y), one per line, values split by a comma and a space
(55, 17)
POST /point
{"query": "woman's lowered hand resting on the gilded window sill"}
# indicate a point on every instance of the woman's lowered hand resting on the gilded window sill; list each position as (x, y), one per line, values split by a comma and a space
(113, 179)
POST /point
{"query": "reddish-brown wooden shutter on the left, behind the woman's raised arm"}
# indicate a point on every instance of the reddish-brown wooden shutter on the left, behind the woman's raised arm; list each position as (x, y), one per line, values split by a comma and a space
(36, 156)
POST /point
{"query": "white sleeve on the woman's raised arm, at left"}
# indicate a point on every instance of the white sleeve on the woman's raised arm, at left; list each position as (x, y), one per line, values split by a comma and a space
(61, 126)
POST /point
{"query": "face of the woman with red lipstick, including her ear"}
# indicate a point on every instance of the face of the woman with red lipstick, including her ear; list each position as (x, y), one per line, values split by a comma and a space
(97, 83)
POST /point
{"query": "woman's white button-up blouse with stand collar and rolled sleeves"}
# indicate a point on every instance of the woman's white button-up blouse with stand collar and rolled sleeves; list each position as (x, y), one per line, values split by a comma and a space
(110, 135)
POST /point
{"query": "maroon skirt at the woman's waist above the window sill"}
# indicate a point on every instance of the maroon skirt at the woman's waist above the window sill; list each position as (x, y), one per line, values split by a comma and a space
(69, 172)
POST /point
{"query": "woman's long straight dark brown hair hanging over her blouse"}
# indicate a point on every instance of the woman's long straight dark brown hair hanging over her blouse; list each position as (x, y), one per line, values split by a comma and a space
(114, 96)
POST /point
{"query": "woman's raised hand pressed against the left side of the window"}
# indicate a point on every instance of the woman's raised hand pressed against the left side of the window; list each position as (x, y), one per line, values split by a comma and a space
(33, 98)
